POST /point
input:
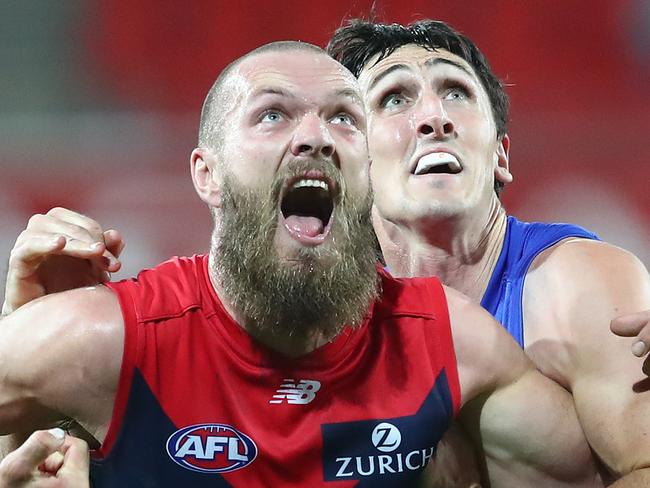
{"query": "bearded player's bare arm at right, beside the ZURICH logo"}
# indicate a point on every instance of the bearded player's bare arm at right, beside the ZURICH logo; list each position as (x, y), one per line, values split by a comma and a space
(525, 423)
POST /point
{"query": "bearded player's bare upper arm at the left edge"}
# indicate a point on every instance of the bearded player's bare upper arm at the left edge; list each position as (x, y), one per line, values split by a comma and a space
(60, 358)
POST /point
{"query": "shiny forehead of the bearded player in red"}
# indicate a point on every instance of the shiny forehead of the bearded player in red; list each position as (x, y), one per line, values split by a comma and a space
(303, 73)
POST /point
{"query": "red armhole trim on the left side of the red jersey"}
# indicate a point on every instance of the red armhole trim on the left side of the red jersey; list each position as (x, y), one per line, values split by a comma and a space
(129, 360)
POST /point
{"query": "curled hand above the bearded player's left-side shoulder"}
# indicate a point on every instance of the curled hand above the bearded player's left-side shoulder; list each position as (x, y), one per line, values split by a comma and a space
(58, 251)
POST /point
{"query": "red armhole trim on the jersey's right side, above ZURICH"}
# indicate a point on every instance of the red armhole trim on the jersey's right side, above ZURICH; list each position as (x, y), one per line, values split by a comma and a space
(439, 301)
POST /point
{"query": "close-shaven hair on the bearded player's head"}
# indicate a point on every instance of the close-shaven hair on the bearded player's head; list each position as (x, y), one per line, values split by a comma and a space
(222, 95)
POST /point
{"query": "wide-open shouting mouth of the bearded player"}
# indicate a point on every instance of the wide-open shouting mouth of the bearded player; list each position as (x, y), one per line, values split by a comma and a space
(307, 206)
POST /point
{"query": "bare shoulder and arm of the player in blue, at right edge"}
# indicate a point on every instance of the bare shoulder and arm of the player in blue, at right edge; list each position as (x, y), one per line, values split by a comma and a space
(589, 284)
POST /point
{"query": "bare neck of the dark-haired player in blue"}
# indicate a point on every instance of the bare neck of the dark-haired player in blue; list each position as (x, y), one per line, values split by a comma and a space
(461, 252)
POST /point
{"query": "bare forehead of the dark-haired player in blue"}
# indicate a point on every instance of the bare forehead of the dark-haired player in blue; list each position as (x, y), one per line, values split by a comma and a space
(411, 57)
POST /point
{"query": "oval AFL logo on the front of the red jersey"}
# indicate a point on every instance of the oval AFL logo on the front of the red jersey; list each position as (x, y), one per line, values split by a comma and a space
(211, 448)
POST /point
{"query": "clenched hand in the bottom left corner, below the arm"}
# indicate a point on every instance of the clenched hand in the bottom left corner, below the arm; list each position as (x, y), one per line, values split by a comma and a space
(47, 459)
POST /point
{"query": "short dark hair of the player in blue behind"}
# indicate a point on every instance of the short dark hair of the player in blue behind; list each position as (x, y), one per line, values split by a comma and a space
(356, 43)
